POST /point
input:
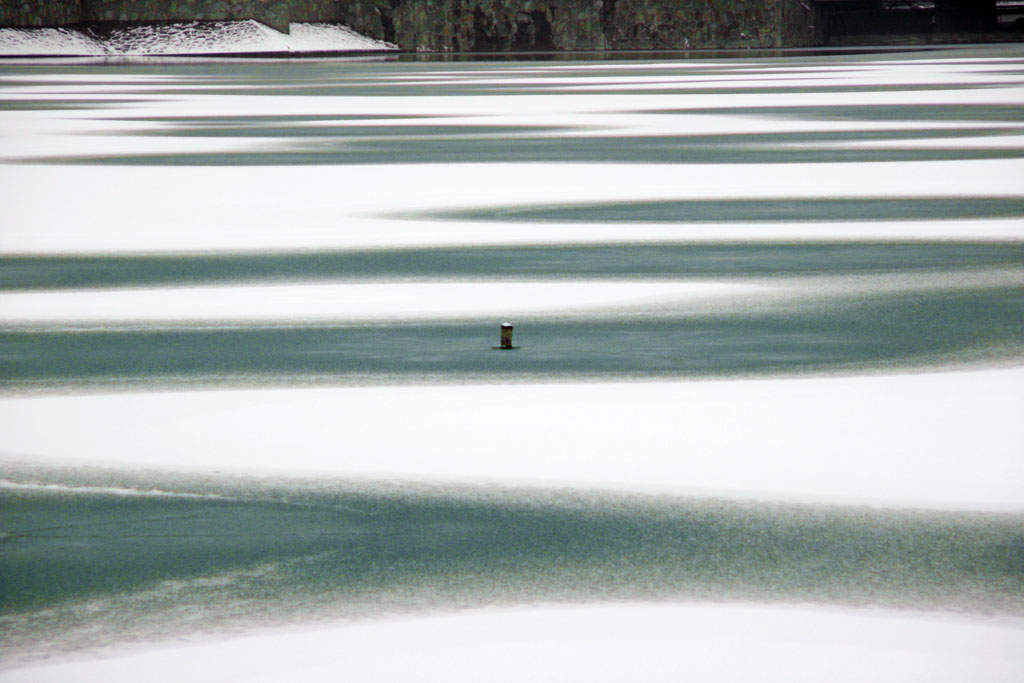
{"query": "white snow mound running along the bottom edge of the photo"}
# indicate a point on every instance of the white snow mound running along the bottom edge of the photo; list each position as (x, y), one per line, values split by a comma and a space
(625, 643)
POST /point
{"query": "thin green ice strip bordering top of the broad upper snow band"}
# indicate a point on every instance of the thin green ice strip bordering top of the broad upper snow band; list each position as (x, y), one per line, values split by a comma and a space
(450, 148)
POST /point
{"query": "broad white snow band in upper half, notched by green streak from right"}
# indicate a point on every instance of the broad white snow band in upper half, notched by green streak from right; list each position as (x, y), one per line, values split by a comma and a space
(359, 207)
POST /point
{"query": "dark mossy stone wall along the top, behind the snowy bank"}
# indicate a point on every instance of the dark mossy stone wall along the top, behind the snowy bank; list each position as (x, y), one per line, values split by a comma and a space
(459, 26)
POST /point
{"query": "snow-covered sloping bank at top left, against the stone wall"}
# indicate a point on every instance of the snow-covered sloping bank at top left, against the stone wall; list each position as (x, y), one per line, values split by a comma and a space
(194, 38)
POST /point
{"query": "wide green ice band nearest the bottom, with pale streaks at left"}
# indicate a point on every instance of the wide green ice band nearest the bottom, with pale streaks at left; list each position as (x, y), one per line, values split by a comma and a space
(324, 549)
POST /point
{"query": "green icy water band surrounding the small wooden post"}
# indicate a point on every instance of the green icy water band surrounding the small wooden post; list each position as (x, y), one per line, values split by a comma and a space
(834, 334)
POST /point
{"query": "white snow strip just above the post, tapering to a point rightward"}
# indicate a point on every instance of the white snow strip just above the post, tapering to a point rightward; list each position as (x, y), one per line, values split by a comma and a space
(349, 303)
